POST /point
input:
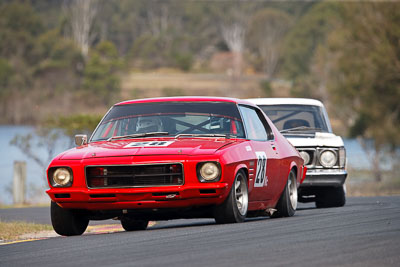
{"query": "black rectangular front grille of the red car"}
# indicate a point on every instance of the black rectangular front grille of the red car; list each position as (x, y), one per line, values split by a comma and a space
(134, 175)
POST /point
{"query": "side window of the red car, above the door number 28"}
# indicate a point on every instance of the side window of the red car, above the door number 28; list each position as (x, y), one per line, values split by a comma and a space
(256, 126)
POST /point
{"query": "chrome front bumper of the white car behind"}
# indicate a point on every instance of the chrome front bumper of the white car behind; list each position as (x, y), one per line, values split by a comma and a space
(324, 178)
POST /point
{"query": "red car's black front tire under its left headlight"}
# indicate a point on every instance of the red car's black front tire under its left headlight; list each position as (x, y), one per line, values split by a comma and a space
(67, 222)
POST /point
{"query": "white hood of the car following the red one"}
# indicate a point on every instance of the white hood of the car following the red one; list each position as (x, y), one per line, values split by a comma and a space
(319, 139)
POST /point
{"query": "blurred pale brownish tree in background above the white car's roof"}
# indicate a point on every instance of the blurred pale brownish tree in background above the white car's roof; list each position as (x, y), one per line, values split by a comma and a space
(267, 29)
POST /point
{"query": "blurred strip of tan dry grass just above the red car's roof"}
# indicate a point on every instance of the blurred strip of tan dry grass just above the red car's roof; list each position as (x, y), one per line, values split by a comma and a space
(156, 84)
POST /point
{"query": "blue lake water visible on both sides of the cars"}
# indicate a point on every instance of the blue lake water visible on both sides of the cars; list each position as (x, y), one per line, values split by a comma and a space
(36, 177)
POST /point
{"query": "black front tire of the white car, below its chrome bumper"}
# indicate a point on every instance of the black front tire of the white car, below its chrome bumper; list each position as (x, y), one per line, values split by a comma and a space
(331, 197)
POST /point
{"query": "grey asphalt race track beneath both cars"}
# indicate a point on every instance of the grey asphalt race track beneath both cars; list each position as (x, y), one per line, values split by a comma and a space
(365, 232)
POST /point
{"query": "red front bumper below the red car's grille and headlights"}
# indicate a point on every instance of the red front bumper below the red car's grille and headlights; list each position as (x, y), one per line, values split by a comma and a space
(140, 198)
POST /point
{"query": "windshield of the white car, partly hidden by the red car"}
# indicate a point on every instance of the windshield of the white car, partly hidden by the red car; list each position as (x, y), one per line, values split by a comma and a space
(297, 118)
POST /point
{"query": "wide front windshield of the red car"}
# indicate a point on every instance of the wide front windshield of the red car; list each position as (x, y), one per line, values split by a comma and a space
(179, 119)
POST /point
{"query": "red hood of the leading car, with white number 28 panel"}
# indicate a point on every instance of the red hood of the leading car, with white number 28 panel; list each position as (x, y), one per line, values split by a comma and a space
(144, 147)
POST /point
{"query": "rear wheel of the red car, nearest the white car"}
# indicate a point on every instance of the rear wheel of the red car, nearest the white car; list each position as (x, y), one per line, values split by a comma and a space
(287, 203)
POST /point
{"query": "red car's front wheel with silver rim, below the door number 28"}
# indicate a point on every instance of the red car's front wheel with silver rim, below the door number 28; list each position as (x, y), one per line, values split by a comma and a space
(234, 208)
